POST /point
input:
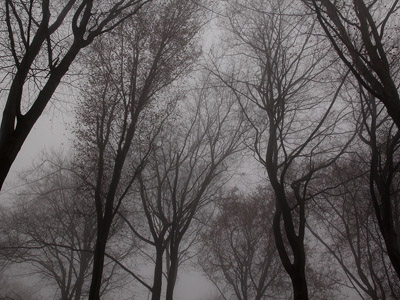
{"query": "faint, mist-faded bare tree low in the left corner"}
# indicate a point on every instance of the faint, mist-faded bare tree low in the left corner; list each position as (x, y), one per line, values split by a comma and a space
(51, 228)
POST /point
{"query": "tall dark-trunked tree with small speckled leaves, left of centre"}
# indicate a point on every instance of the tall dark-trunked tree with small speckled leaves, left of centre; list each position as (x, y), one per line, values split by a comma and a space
(124, 102)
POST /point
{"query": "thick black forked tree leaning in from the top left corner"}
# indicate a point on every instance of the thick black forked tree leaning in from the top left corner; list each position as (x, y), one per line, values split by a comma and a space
(40, 41)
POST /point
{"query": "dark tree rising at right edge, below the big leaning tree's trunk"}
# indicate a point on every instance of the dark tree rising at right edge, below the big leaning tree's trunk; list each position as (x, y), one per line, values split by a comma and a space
(383, 139)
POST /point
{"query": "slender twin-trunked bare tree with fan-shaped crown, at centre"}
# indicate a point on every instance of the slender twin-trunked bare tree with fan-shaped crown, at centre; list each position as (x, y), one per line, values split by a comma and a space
(184, 170)
